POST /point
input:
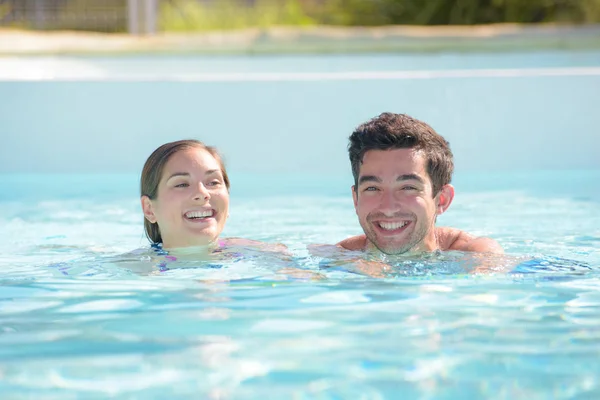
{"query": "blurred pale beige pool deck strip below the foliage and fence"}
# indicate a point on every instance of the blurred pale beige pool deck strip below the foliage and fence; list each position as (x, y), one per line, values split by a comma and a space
(408, 39)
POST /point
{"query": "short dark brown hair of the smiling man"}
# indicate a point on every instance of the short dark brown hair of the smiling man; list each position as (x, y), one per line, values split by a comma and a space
(391, 131)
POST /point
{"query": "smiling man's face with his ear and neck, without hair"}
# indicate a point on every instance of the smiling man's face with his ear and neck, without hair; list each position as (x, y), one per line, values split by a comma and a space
(395, 203)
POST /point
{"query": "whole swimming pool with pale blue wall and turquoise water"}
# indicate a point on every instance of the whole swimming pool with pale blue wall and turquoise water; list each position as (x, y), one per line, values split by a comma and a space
(76, 323)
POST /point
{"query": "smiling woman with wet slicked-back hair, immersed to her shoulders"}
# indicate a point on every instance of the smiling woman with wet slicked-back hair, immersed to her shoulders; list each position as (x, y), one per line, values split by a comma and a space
(185, 199)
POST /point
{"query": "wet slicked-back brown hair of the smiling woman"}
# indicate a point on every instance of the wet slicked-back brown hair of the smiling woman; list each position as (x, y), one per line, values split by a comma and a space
(153, 170)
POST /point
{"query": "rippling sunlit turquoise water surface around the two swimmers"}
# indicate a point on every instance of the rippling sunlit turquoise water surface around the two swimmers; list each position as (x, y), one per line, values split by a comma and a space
(80, 313)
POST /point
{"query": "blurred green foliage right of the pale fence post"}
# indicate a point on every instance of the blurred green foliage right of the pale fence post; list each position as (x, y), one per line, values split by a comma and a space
(185, 15)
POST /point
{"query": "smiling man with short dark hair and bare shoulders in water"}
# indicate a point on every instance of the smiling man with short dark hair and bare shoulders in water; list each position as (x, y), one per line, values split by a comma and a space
(402, 171)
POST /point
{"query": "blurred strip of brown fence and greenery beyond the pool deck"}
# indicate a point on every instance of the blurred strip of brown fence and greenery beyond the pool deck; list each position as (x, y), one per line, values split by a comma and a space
(202, 15)
